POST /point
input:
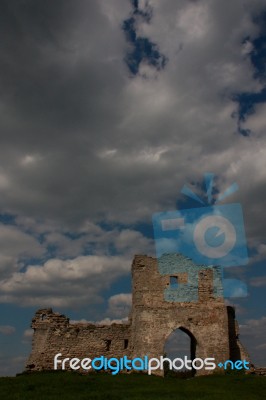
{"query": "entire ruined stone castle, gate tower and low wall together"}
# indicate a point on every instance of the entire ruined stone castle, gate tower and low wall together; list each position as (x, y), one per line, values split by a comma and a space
(209, 322)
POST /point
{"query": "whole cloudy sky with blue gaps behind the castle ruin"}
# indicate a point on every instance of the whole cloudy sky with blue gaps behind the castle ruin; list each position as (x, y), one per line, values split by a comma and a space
(107, 109)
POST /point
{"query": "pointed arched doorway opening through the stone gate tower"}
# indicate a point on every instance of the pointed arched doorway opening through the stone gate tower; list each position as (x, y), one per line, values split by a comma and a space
(180, 343)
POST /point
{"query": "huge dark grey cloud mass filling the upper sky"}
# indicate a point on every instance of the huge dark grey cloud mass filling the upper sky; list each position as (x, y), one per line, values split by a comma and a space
(81, 139)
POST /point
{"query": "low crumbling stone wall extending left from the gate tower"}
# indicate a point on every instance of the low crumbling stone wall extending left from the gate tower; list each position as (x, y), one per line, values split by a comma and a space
(54, 334)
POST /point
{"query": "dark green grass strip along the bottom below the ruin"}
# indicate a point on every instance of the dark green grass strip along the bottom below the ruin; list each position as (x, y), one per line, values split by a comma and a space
(66, 385)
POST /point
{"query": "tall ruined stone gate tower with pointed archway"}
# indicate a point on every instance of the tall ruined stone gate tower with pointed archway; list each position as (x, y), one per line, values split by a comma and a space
(206, 320)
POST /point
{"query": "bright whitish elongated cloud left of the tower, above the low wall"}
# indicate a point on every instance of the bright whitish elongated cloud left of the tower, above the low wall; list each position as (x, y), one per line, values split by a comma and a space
(64, 283)
